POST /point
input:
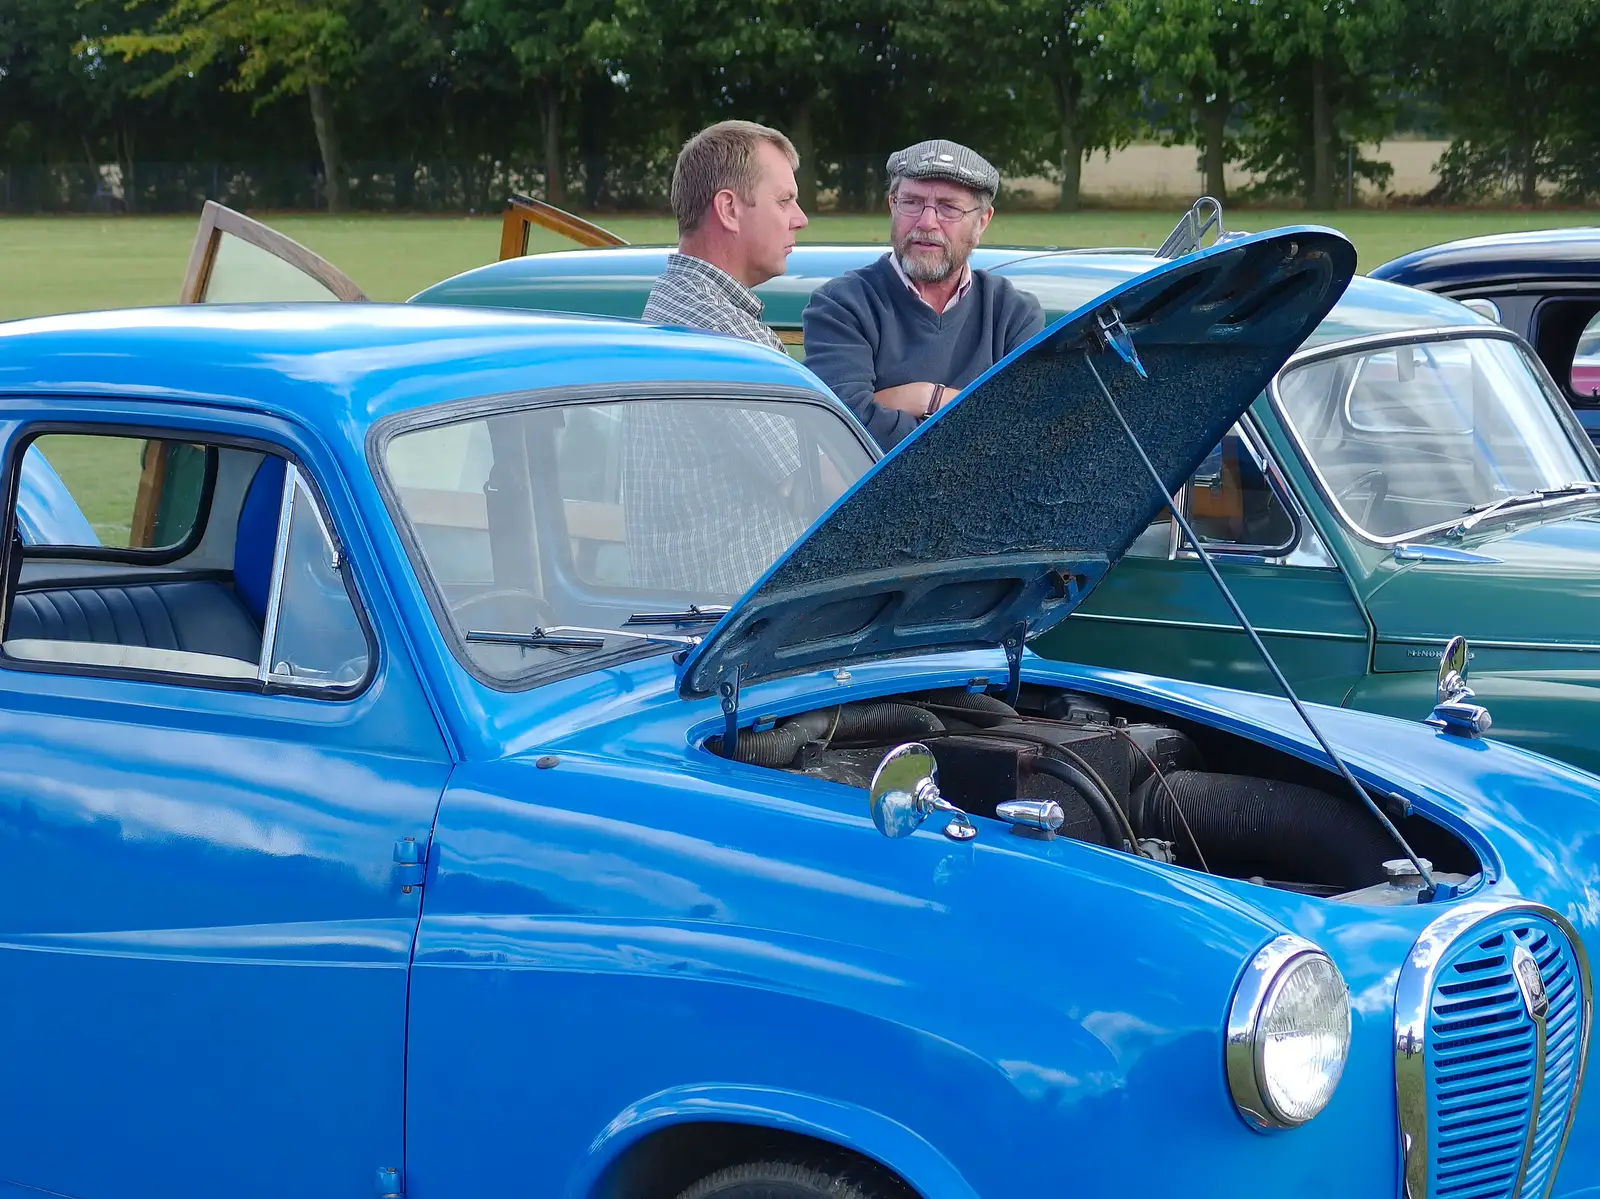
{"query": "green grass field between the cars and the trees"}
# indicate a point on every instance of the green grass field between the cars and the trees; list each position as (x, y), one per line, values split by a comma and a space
(63, 265)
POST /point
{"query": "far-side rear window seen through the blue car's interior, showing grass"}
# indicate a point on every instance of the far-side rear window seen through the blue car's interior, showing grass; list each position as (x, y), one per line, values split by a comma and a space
(135, 494)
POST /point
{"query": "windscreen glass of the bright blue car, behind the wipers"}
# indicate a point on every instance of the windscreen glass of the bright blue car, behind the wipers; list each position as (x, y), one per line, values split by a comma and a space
(588, 515)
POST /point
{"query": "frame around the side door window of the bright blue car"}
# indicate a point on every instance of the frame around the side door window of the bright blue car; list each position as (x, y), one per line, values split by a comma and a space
(12, 465)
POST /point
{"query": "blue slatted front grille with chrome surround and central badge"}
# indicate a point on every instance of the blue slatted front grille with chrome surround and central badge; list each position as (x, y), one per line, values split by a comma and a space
(1492, 1019)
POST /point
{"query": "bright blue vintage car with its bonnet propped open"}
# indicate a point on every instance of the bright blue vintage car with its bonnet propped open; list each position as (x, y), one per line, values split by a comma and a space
(470, 779)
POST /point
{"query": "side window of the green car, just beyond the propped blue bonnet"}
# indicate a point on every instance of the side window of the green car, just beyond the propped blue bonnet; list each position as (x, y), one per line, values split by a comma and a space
(1231, 505)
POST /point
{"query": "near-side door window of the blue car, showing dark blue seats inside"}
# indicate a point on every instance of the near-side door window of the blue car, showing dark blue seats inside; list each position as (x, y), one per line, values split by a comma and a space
(225, 572)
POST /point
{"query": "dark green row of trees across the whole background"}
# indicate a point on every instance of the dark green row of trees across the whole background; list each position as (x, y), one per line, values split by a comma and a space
(598, 95)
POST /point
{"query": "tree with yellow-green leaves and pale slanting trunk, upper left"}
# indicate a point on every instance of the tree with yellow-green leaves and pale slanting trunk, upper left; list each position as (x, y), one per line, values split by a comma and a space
(274, 49)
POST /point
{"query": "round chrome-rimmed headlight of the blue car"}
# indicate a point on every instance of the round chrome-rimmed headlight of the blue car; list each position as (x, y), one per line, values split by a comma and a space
(1289, 1035)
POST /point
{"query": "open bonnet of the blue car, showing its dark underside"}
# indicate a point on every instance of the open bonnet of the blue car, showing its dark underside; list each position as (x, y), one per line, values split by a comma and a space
(998, 518)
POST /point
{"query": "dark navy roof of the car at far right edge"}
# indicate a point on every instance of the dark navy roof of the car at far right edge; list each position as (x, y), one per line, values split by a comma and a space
(1498, 259)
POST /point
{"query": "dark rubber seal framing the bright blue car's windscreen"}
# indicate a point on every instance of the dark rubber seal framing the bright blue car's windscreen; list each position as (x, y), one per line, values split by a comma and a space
(508, 404)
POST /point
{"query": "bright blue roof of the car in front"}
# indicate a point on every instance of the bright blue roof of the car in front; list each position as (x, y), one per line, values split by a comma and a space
(342, 364)
